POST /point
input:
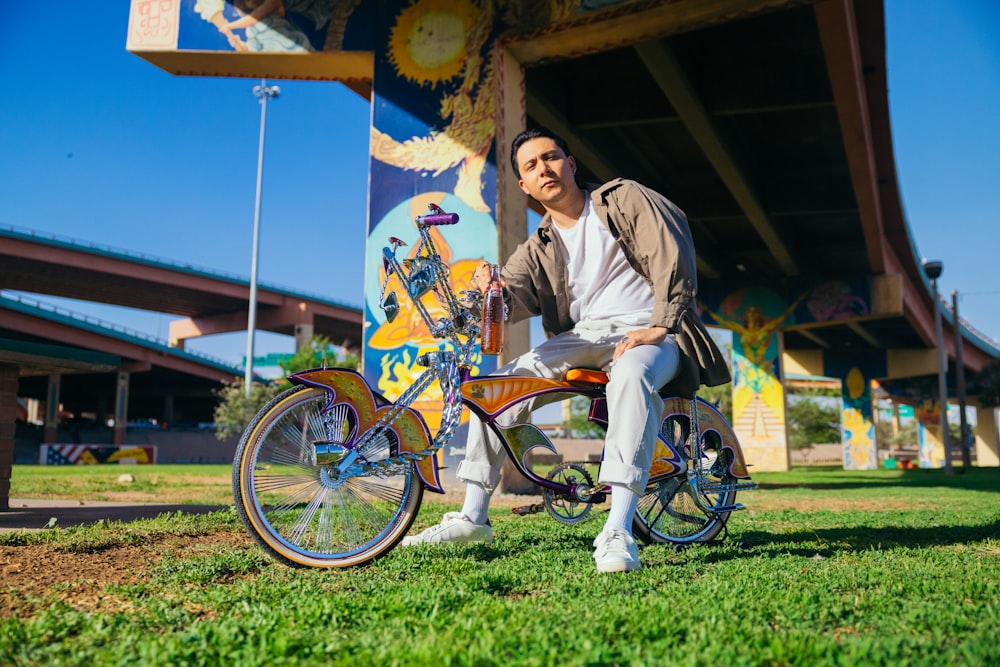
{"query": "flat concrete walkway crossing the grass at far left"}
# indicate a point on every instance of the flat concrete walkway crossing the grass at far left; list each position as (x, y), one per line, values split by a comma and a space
(36, 514)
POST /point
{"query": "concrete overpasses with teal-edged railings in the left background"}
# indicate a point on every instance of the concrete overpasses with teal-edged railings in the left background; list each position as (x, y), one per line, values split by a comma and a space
(106, 372)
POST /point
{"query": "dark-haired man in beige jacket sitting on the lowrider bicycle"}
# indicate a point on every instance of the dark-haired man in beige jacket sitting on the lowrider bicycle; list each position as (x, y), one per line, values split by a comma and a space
(611, 270)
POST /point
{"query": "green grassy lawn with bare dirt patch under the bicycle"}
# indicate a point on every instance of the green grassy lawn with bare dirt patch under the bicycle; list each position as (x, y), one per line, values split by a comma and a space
(825, 567)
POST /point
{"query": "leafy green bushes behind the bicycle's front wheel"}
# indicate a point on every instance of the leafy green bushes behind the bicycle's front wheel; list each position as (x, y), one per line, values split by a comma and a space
(235, 409)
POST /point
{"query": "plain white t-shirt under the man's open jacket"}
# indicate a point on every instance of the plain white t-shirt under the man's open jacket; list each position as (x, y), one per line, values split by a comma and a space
(602, 284)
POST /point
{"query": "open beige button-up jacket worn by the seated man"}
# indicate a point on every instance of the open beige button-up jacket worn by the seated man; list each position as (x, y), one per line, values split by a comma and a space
(655, 237)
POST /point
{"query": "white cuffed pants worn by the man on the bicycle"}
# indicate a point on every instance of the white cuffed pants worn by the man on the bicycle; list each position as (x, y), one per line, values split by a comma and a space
(634, 406)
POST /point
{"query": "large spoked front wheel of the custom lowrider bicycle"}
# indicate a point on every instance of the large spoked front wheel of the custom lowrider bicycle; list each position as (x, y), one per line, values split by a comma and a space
(298, 509)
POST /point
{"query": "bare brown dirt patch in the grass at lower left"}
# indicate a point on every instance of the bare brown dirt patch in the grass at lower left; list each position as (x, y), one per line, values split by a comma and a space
(32, 576)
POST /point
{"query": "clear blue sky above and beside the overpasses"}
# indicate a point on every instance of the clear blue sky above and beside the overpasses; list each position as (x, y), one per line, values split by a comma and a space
(98, 145)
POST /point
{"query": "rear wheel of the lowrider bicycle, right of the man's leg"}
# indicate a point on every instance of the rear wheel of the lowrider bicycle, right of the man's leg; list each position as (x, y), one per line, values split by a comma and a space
(669, 512)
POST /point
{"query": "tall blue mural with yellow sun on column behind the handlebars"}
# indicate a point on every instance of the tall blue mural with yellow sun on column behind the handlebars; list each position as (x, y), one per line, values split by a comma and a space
(432, 142)
